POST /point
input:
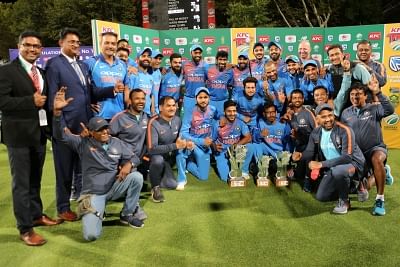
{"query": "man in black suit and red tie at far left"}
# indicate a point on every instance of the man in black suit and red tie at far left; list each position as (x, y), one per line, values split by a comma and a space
(22, 102)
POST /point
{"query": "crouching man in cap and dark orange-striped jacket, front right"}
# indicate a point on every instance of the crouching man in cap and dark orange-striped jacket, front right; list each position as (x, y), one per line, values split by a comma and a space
(332, 150)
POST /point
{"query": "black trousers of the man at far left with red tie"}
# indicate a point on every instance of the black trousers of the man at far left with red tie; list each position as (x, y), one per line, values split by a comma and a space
(26, 164)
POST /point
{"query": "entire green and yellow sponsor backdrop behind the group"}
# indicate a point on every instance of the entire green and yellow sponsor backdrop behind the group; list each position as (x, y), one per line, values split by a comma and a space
(385, 41)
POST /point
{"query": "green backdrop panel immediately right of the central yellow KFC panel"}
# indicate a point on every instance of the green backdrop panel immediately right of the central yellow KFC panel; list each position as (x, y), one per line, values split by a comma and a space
(289, 39)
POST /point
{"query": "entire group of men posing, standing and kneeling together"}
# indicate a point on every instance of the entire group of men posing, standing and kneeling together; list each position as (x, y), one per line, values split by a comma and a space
(115, 120)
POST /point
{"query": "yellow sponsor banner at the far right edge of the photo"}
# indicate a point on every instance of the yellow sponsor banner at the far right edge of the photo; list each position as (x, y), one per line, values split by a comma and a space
(391, 60)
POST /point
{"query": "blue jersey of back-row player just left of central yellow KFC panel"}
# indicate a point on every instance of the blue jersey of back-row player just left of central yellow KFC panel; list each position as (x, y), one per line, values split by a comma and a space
(217, 83)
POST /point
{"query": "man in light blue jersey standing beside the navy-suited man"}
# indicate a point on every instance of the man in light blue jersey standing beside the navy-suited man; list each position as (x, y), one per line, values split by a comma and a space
(109, 78)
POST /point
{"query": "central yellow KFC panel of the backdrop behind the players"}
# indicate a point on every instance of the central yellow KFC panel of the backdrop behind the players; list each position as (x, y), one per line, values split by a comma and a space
(242, 41)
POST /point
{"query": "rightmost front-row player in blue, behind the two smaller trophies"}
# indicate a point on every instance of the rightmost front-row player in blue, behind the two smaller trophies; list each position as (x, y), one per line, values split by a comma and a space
(271, 136)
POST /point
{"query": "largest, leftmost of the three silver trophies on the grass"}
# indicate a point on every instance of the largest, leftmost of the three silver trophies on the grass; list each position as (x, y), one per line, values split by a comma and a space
(237, 155)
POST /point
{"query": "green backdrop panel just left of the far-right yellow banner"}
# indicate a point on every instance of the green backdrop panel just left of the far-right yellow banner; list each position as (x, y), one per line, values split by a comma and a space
(349, 37)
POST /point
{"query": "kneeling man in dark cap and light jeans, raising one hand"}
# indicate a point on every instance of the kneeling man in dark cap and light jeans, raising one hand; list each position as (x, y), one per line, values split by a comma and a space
(108, 169)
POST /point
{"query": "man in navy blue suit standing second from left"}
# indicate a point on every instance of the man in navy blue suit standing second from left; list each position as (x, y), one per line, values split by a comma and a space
(66, 71)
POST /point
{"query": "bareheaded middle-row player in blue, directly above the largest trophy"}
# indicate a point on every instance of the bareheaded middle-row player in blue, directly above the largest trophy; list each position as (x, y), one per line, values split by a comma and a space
(249, 105)
